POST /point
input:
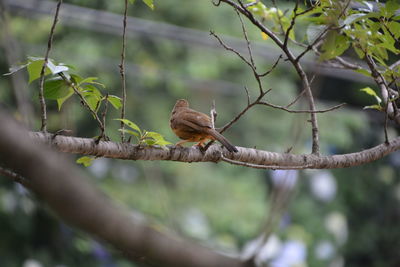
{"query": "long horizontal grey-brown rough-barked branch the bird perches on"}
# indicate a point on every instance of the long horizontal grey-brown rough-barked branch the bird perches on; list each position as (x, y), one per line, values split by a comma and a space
(87, 146)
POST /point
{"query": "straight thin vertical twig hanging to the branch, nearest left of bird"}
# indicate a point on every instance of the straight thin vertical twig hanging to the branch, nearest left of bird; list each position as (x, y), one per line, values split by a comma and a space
(122, 72)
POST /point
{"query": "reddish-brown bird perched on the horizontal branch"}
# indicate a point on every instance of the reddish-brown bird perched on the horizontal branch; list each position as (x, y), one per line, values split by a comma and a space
(194, 126)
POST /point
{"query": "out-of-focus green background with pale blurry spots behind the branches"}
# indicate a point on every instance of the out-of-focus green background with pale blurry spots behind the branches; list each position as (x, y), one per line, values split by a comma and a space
(344, 217)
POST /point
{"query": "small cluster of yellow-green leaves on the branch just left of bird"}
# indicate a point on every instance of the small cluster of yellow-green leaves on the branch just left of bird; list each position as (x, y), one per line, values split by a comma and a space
(143, 136)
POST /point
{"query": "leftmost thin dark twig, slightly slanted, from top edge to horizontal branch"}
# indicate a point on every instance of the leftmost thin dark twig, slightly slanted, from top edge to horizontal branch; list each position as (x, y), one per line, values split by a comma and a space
(42, 71)
